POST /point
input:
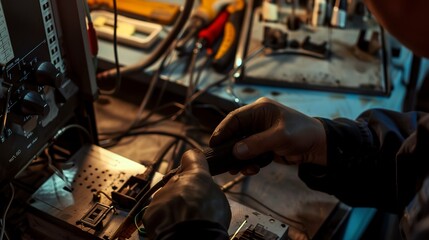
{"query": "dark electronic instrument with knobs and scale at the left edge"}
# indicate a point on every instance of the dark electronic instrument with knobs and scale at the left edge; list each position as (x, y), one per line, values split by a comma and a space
(47, 76)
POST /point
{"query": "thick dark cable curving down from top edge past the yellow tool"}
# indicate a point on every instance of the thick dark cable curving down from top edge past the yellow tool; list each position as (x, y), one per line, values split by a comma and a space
(162, 47)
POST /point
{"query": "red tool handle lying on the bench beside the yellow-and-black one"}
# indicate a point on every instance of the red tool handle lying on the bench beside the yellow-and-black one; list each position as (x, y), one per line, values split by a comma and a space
(211, 33)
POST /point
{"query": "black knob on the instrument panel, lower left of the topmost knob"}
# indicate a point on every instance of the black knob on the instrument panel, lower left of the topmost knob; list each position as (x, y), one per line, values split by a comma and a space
(32, 103)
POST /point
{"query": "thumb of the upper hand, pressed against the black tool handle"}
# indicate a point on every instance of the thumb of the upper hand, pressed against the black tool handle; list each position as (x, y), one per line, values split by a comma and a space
(254, 145)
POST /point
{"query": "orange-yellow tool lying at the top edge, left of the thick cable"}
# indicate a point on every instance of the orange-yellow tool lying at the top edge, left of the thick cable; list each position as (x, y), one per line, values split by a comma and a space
(159, 12)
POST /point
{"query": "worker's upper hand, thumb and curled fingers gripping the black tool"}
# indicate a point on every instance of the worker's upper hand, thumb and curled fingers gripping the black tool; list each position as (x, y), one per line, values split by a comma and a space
(270, 126)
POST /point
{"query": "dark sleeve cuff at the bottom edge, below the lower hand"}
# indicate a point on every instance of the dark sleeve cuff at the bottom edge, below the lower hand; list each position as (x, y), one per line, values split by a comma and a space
(195, 229)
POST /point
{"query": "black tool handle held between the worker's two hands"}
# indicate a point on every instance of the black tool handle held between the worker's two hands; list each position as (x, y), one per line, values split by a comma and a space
(221, 159)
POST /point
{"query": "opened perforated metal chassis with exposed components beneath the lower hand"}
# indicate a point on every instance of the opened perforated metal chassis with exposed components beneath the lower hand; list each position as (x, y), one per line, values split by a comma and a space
(87, 212)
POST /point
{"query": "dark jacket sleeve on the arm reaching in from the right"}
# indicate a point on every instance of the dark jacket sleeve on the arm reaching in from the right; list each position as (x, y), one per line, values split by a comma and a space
(371, 161)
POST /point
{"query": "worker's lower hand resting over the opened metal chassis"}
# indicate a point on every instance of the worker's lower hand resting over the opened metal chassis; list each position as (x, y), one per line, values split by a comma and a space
(190, 195)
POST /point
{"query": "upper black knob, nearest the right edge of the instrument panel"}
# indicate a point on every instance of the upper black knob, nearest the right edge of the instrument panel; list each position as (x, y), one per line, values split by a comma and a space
(48, 74)
